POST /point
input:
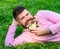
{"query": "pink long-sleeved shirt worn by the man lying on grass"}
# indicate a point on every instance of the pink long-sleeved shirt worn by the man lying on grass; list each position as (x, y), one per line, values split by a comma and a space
(45, 18)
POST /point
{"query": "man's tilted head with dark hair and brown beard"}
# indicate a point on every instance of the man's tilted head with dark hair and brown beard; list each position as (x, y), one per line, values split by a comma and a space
(22, 16)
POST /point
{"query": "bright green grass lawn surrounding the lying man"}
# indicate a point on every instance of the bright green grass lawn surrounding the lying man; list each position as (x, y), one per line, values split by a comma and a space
(6, 8)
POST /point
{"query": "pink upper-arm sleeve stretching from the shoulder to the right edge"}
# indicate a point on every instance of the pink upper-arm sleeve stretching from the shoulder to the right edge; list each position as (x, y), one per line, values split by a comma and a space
(49, 15)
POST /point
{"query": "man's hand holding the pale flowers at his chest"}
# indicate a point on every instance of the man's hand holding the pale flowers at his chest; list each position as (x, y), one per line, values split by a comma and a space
(39, 30)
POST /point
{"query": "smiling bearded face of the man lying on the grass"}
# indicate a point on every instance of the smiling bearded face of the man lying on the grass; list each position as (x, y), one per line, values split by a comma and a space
(24, 18)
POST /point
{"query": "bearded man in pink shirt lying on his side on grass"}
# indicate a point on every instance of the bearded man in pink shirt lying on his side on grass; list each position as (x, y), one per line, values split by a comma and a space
(48, 30)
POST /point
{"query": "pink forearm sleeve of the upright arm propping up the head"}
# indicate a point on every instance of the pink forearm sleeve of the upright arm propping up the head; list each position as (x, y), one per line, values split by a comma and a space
(10, 36)
